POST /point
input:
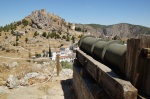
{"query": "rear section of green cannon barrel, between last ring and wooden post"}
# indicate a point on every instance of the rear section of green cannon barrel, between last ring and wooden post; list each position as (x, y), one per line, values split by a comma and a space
(115, 54)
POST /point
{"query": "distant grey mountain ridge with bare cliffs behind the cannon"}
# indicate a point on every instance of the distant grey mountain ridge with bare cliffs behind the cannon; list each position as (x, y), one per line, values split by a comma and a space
(122, 29)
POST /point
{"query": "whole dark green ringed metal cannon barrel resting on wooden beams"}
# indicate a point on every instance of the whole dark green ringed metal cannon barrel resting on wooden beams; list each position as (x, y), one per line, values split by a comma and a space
(110, 52)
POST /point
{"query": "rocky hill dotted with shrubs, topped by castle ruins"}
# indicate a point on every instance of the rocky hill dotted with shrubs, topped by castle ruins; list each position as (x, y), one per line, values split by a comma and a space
(41, 28)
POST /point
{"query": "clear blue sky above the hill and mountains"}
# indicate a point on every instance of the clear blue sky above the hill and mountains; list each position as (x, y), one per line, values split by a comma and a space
(105, 12)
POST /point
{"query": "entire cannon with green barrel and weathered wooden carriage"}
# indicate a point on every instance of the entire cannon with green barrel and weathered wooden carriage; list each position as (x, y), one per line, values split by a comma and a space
(109, 67)
